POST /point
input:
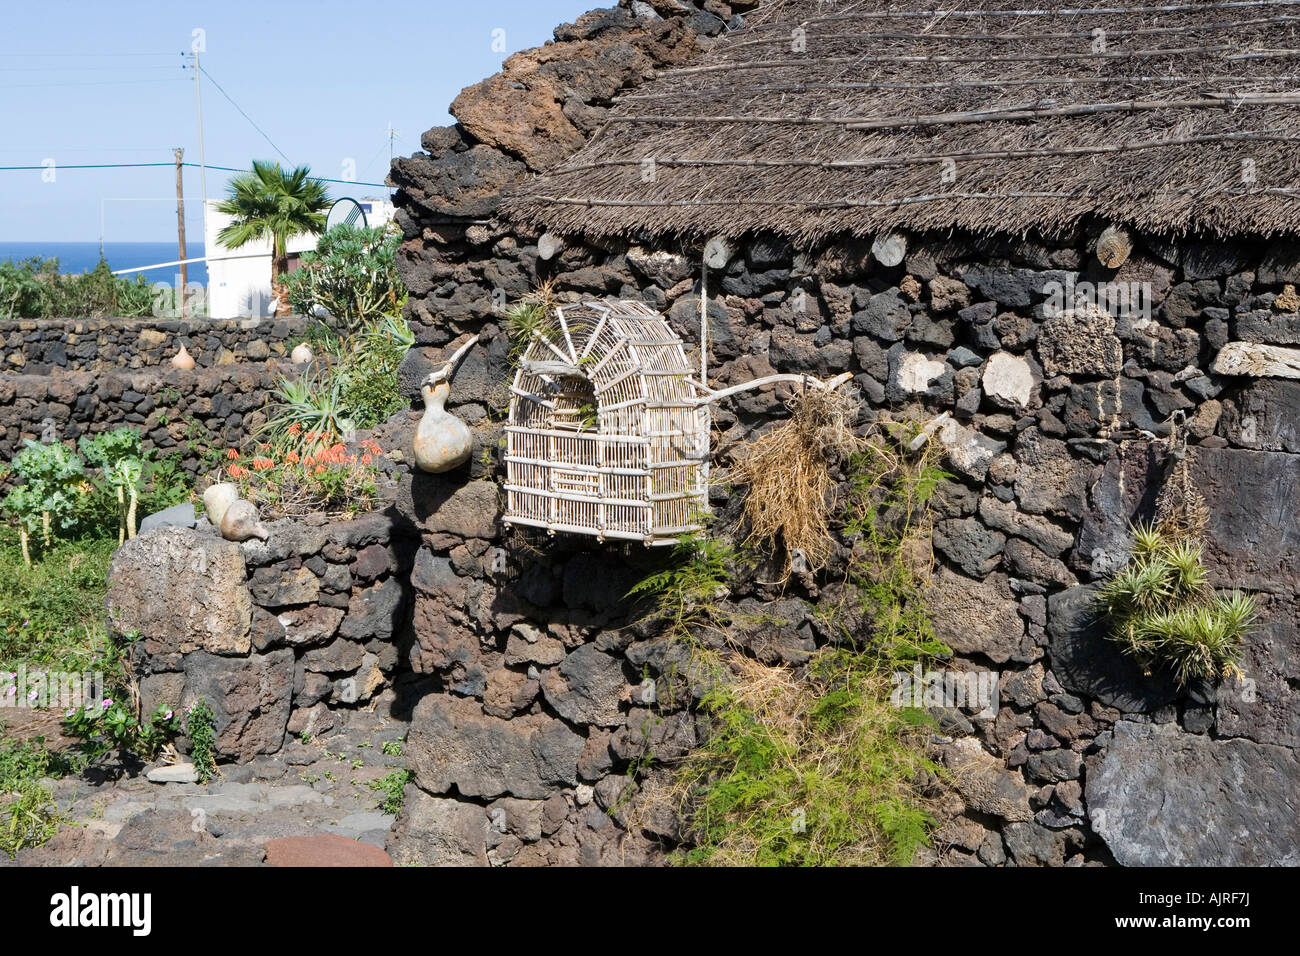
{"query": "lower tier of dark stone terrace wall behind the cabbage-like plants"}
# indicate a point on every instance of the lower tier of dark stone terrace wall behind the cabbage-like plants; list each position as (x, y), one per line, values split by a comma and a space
(189, 413)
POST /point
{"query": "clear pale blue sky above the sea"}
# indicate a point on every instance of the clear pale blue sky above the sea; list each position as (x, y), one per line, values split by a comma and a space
(88, 81)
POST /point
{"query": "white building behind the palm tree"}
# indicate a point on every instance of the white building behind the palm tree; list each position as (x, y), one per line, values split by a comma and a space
(240, 280)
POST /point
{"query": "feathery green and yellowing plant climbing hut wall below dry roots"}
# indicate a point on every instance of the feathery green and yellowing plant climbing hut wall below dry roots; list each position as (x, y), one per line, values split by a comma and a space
(814, 765)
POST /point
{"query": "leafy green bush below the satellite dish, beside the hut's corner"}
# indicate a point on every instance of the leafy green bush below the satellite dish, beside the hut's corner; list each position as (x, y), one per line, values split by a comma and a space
(352, 276)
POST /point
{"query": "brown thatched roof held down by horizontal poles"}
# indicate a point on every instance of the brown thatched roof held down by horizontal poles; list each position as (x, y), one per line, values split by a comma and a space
(1178, 118)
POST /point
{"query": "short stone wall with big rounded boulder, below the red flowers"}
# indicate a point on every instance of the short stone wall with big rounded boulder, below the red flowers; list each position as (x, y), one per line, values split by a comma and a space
(274, 635)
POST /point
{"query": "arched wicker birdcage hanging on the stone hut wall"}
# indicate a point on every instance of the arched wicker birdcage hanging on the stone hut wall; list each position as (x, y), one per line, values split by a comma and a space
(608, 435)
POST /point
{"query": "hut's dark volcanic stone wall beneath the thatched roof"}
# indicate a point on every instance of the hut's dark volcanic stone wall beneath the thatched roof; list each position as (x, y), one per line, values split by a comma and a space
(1052, 423)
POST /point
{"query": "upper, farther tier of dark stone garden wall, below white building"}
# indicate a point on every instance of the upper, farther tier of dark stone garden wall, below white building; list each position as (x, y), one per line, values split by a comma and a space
(38, 347)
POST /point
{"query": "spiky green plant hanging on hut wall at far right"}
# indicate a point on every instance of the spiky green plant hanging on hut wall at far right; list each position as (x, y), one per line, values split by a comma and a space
(1163, 612)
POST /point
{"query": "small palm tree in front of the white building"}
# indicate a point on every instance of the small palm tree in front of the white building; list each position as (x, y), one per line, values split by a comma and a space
(268, 204)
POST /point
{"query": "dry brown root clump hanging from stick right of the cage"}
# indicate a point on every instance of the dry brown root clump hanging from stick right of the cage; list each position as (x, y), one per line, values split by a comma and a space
(790, 477)
